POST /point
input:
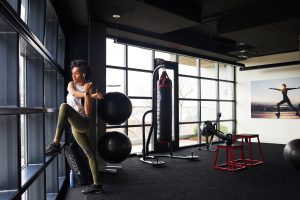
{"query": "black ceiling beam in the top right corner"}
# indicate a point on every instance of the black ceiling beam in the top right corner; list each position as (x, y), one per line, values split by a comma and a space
(254, 16)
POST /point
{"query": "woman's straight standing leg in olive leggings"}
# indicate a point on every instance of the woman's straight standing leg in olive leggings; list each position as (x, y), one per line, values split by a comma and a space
(83, 141)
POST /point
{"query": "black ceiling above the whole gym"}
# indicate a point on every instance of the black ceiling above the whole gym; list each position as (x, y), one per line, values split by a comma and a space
(227, 29)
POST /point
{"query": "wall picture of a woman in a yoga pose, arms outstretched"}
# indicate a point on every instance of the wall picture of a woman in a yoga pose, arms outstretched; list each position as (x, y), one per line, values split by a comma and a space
(277, 98)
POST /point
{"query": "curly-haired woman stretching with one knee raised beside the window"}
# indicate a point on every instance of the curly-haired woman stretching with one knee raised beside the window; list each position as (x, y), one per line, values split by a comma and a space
(77, 111)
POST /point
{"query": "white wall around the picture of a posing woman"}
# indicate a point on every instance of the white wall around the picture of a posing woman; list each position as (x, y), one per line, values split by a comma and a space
(279, 131)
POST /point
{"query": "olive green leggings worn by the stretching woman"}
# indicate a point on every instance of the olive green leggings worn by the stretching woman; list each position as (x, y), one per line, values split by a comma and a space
(80, 127)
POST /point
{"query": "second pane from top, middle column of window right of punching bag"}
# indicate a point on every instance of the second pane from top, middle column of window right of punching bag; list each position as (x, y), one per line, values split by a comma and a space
(208, 89)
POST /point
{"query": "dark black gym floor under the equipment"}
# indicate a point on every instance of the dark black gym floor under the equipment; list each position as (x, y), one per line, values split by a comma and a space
(191, 180)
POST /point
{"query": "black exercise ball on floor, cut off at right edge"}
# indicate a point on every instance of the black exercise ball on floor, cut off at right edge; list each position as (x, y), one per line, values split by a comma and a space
(291, 153)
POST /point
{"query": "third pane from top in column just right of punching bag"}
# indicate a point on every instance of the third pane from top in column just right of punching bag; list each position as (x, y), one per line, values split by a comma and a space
(188, 111)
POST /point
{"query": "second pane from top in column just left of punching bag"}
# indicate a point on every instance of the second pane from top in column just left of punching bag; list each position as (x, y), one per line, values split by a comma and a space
(139, 84)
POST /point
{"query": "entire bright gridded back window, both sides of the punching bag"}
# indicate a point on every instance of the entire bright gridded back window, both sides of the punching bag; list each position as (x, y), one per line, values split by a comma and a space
(205, 88)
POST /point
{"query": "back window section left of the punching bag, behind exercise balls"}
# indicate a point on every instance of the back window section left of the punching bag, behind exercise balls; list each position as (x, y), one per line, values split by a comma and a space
(131, 75)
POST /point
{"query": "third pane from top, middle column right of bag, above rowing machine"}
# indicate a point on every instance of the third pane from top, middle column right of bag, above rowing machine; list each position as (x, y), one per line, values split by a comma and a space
(208, 110)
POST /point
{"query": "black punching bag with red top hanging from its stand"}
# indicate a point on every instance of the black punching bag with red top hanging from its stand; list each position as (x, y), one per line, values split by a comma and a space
(164, 108)
